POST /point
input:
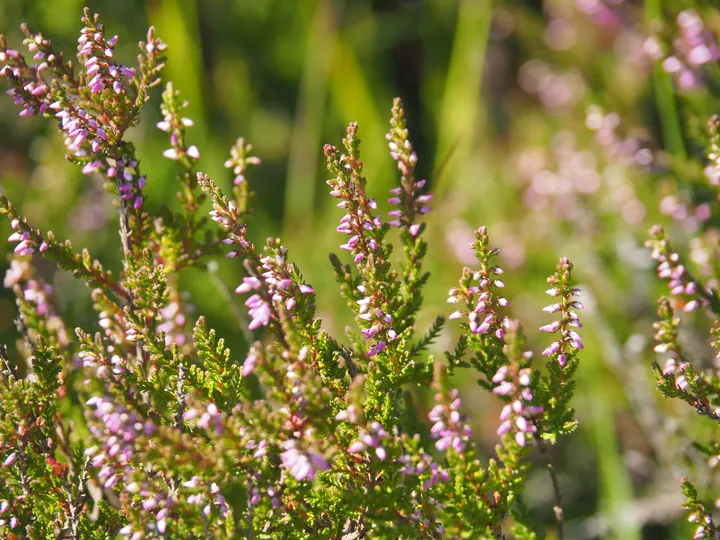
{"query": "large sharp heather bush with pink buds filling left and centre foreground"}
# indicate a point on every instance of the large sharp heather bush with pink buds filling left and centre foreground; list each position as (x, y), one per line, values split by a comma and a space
(146, 424)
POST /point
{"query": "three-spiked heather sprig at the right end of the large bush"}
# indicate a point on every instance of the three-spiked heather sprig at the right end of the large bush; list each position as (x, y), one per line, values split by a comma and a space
(537, 405)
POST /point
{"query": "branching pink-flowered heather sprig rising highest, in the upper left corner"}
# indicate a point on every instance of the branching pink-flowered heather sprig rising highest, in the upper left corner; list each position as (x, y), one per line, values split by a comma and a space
(96, 107)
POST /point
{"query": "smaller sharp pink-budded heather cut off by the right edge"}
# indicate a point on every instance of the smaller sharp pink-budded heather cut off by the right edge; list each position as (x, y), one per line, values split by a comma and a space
(686, 373)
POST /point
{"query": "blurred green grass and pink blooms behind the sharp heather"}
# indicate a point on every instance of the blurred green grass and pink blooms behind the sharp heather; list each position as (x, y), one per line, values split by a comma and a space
(544, 120)
